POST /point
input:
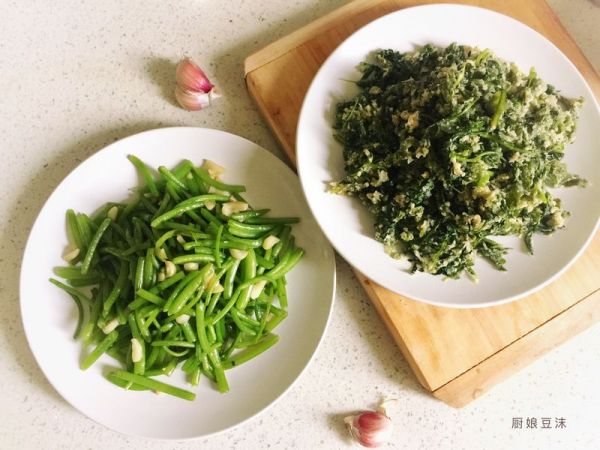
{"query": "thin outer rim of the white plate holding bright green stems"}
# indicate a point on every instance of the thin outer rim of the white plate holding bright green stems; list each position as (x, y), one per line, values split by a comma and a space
(27, 252)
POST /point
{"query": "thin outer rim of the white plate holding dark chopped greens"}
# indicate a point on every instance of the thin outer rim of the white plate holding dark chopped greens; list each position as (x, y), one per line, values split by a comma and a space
(342, 251)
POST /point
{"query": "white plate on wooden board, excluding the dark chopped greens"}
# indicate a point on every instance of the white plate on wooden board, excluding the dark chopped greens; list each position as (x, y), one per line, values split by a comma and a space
(349, 226)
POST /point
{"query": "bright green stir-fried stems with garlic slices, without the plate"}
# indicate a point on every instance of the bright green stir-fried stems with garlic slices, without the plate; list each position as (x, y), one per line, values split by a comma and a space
(186, 274)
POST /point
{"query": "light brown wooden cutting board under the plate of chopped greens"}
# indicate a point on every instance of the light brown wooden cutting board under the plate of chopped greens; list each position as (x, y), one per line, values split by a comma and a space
(456, 354)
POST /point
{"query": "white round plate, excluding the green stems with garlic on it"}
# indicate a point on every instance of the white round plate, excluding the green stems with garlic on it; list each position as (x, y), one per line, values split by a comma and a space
(49, 315)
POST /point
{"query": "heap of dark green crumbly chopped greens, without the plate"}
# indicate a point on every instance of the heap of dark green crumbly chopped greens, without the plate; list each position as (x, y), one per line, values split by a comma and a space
(448, 147)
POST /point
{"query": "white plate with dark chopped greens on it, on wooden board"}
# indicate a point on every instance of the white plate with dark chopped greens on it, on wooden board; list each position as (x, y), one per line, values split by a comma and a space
(450, 153)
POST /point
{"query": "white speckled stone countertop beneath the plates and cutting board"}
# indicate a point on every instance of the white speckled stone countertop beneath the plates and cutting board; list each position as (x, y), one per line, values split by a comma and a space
(76, 76)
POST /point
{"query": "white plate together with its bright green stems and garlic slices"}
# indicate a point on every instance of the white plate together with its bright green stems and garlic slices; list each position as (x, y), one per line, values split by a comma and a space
(193, 297)
